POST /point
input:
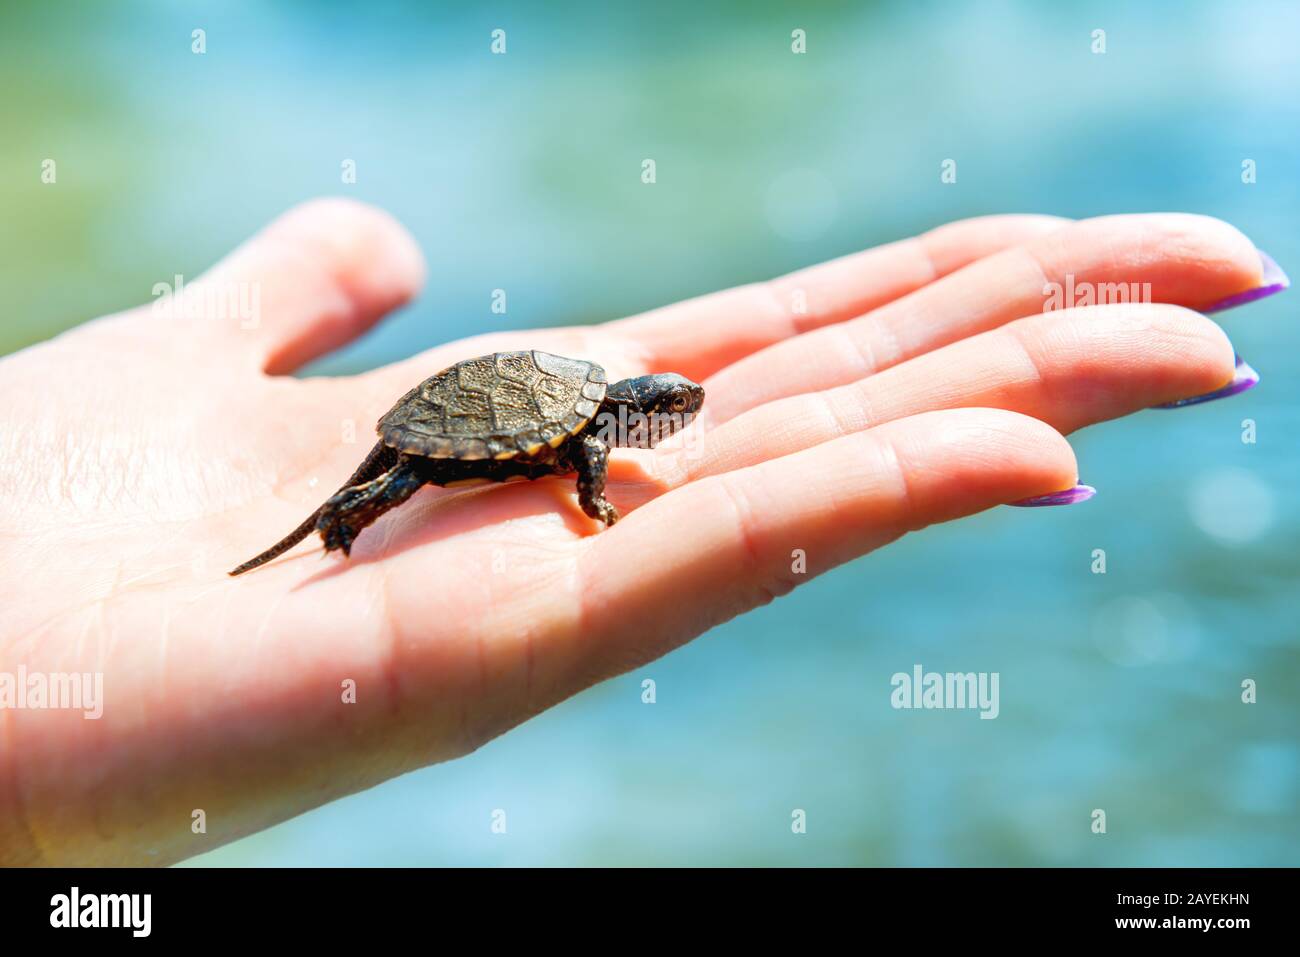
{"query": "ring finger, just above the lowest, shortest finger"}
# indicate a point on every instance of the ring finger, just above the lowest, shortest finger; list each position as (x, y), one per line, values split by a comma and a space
(1071, 369)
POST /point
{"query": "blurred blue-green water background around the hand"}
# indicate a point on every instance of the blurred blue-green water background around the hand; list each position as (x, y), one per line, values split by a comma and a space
(1119, 691)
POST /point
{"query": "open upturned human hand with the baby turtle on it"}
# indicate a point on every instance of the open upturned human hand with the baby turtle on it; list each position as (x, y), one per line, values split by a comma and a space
(146, 454)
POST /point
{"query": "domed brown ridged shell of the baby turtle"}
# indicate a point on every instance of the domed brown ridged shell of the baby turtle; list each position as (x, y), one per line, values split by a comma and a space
(496, 408)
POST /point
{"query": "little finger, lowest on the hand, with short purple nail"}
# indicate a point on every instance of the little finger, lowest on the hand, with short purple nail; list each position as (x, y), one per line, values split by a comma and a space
(734, 542)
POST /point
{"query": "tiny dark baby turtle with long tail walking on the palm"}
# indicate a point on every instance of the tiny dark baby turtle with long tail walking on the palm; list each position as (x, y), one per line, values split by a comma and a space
(501, 418)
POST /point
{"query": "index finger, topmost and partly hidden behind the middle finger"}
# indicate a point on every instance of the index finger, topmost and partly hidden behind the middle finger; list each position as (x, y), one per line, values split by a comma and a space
(701, 336)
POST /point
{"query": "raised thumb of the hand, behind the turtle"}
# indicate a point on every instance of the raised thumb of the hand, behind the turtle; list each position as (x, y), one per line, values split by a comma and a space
(311, 282)
